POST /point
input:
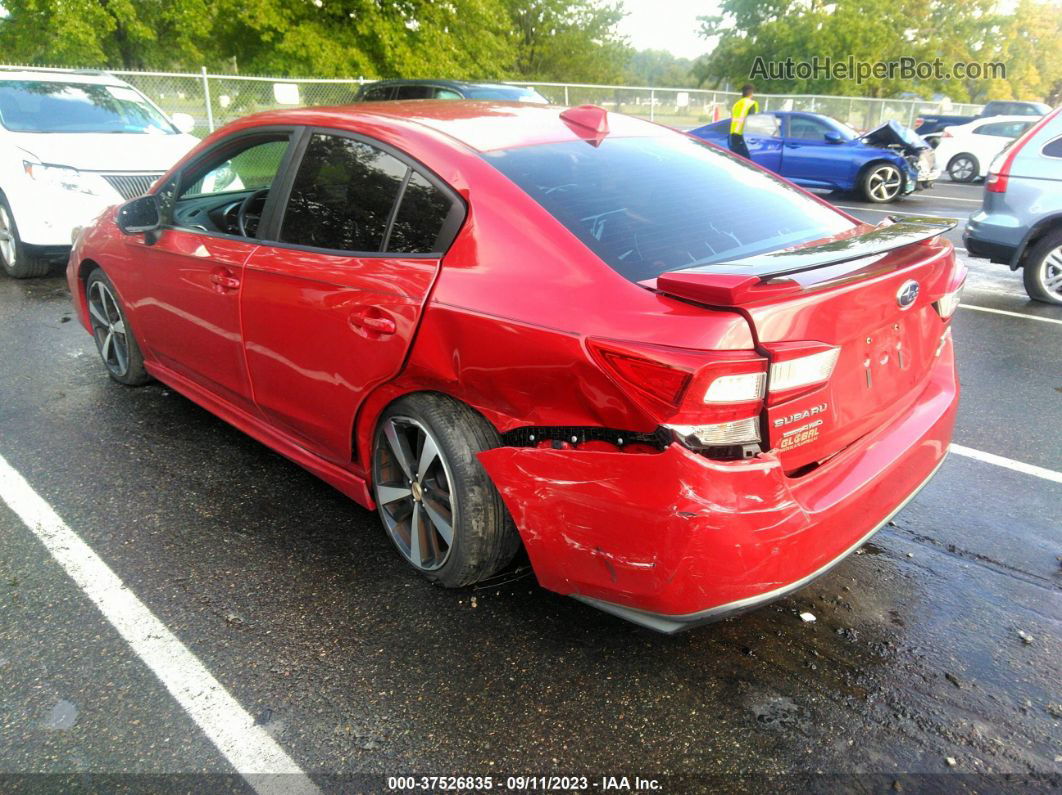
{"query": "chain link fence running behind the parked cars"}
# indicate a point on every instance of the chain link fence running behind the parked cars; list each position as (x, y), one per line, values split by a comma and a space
(214, 100)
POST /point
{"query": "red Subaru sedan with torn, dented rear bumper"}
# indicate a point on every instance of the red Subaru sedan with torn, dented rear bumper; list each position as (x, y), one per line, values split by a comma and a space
(686, 387)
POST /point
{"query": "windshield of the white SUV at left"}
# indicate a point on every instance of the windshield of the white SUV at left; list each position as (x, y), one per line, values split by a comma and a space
(43, 107)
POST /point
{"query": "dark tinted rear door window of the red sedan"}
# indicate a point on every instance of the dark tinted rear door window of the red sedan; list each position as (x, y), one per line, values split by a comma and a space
(342, 196)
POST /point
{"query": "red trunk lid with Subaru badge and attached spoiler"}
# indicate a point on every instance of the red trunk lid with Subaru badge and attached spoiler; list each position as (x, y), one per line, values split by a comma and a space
(870, 295)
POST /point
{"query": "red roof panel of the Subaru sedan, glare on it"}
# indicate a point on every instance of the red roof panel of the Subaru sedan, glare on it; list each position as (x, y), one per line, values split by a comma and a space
(483, 125)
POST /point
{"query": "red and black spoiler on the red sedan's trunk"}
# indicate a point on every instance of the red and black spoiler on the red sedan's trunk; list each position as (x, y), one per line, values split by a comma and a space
(741, 281)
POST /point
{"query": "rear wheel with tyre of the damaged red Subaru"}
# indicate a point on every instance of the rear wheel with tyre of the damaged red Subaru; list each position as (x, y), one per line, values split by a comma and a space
(437, 504)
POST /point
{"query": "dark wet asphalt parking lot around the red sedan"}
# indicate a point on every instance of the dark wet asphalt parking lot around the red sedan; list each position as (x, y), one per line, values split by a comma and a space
(340, 661)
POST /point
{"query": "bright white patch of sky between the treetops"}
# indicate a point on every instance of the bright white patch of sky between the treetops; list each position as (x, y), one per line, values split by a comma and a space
(667, 25)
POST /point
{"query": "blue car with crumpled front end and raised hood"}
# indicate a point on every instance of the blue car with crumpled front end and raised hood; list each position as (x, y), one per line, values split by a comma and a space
(818, 152)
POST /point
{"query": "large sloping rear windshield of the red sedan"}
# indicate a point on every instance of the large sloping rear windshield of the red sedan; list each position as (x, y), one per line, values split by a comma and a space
(647, 206)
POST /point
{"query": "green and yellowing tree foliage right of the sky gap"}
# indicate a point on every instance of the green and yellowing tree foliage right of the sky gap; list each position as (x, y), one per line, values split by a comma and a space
(1026, 41)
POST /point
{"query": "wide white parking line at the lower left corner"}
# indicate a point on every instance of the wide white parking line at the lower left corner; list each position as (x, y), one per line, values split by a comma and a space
(251, 751)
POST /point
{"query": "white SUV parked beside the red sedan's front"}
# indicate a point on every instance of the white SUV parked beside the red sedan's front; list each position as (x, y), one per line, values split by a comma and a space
(72, 145)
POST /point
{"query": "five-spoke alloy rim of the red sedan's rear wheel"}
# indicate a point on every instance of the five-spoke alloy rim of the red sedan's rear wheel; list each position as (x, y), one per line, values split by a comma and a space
(415, 491)
